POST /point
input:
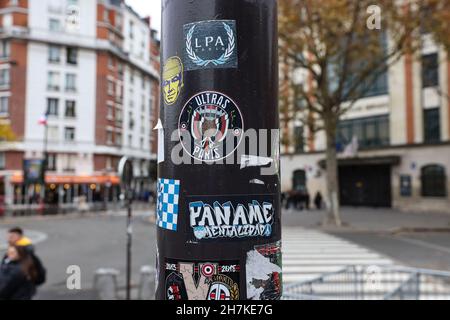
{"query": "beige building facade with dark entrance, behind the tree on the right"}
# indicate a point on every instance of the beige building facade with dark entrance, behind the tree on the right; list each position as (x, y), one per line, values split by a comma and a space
(394, 145)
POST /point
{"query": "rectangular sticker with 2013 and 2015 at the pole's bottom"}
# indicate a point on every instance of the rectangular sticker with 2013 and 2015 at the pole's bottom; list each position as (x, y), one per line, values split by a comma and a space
(187, 280)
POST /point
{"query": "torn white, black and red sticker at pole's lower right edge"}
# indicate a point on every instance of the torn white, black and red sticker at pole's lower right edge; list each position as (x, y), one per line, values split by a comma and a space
(263, 272)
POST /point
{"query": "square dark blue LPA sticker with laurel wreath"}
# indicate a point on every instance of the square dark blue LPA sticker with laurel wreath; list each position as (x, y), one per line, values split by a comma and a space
(210, 44)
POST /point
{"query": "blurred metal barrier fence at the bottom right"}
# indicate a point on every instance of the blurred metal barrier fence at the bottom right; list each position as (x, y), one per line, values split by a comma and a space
(373, 283)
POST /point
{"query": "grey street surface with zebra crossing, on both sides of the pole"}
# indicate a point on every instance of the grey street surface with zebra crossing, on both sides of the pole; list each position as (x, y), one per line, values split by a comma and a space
(99, 241)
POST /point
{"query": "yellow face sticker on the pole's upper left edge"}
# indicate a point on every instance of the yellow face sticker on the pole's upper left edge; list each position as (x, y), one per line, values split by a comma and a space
(172, 80)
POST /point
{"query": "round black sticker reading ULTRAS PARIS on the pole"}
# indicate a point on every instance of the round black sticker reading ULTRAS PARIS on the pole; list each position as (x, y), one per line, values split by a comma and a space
(210, 126)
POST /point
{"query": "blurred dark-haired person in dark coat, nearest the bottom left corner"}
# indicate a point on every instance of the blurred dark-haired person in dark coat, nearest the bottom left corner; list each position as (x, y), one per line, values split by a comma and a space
(18, 275)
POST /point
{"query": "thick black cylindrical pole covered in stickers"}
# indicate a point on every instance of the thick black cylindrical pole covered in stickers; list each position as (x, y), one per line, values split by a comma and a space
(218, 208)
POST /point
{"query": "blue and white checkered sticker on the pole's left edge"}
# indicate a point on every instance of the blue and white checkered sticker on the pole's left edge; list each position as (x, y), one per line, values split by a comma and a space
(167, 204)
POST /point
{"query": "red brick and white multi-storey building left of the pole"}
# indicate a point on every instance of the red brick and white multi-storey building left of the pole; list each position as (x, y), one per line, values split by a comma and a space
(90, 66)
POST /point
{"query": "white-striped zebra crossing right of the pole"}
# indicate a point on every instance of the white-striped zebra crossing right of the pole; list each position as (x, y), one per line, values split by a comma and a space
(308, 254)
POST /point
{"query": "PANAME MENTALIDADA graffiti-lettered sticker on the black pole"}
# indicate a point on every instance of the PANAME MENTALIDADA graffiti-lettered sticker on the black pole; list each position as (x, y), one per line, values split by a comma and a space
(231, 217)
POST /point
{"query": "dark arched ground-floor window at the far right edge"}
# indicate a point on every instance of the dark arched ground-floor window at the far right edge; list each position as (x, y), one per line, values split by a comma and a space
(434, 181)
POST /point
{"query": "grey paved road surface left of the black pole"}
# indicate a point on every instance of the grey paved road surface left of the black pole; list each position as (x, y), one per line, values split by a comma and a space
(91, 243)
